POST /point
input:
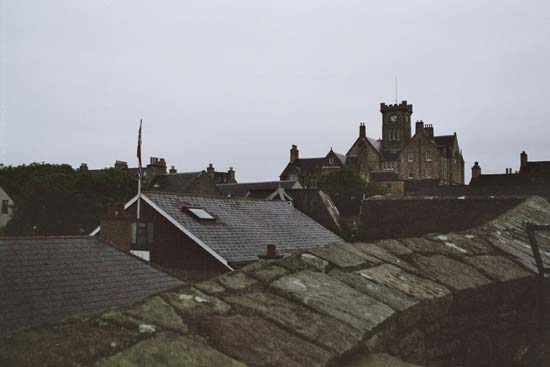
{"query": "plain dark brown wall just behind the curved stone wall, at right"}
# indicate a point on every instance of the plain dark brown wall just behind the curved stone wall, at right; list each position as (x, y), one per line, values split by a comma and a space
(382, 218)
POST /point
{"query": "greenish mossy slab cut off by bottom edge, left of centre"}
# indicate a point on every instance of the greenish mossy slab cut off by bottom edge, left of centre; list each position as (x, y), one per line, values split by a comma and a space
(169, 351)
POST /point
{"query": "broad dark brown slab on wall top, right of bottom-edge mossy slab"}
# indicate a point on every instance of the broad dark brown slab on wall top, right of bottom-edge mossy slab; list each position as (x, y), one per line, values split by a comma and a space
(258, 342)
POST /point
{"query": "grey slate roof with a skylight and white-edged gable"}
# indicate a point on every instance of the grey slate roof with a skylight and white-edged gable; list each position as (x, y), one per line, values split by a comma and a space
(244, 227)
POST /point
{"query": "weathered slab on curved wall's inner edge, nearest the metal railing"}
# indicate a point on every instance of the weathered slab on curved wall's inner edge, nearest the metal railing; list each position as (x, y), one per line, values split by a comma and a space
(498, 268)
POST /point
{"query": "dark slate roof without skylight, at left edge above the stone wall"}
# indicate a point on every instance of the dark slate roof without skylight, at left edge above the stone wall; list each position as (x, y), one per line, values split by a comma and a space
(45, 279)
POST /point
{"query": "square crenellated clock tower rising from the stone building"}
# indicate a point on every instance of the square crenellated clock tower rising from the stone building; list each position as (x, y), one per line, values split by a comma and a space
(396, 125)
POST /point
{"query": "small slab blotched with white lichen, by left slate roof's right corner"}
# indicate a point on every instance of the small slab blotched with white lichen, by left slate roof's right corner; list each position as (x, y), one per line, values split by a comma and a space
(195, 303)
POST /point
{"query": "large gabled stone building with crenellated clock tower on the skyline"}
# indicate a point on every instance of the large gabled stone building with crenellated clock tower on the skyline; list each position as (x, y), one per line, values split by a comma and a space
(401, 154)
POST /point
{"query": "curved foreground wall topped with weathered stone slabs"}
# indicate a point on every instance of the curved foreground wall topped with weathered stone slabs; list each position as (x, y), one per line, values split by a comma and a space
(459, 299)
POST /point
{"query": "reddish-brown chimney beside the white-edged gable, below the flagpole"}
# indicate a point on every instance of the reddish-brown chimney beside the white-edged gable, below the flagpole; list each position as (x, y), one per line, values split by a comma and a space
(115, 227)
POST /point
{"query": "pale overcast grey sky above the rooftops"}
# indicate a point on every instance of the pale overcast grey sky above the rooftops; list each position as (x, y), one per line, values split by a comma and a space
(235, 83)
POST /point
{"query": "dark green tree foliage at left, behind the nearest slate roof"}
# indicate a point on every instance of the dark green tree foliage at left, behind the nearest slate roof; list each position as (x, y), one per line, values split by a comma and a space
(59, 200)
